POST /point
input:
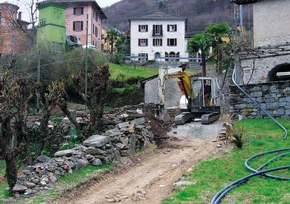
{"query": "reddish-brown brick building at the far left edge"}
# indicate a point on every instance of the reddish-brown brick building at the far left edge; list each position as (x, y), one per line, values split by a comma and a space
(12, 30)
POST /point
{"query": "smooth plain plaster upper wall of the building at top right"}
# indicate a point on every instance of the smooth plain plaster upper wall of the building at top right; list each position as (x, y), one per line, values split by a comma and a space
(271, 20)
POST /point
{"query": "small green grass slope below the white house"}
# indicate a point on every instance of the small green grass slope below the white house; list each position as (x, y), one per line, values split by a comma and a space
(125, 72)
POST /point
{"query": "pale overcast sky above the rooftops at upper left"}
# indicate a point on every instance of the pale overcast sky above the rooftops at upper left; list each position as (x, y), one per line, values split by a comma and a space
(23, 4)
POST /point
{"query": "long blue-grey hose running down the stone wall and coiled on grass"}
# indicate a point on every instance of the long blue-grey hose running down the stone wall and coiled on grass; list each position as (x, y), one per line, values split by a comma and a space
(286, 151)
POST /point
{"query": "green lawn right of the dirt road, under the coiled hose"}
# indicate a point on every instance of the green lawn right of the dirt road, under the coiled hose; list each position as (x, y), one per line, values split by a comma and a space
(214, 174)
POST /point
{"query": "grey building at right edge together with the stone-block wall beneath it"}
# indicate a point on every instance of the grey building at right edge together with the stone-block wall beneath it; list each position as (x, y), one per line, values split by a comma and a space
(264, 67)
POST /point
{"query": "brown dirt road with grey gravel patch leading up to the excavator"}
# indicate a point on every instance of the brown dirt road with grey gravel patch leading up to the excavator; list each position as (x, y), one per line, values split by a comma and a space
(150, 179)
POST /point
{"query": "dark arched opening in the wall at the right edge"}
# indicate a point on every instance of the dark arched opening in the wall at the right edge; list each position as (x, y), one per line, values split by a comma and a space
(279, 73)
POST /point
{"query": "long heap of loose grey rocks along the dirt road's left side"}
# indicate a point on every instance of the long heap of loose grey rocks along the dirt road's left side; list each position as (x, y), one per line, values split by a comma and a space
(126, 137)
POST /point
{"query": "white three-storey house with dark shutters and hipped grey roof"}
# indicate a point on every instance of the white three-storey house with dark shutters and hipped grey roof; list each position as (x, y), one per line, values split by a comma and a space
(158, 36)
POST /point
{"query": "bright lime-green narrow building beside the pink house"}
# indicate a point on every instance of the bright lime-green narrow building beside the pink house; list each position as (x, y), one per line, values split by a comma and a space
(51, 26)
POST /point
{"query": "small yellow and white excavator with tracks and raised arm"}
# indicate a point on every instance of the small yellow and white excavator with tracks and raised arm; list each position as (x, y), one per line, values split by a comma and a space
(199, 96)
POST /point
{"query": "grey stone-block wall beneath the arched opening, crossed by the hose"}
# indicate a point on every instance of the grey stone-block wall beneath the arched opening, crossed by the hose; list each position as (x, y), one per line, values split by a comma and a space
(273, 97)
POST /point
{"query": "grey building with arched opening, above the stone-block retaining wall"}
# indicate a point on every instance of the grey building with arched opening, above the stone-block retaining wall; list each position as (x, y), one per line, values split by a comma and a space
(270, 56)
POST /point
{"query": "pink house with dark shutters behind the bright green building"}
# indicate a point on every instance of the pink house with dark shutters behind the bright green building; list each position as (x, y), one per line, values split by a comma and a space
(82, 14)
